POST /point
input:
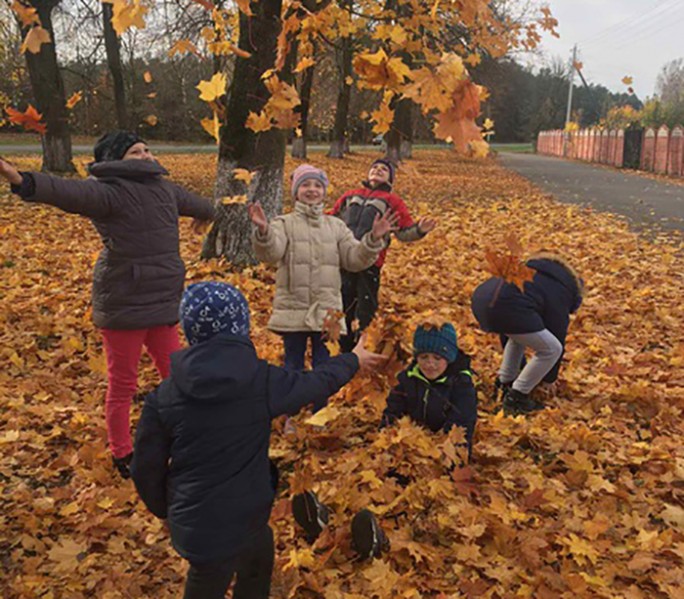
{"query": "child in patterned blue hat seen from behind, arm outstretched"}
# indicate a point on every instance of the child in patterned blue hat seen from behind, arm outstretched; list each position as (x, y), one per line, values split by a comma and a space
(201, 450)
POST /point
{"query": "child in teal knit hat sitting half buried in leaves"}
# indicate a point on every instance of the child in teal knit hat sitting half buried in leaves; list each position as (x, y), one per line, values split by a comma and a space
(435, 390)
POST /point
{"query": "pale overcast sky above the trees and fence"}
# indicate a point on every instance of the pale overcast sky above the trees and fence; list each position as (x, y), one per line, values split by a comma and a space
(616, 38)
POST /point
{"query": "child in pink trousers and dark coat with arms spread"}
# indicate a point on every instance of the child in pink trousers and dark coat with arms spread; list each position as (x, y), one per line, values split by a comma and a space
(139, 274)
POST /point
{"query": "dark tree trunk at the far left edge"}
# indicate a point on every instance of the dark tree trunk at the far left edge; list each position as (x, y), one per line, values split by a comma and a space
(48, 91)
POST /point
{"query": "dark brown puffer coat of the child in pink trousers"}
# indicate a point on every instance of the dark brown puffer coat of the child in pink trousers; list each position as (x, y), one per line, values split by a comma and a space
(139, 275)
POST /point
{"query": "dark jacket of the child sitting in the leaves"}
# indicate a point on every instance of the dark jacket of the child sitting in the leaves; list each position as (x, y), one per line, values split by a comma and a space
(440, 404)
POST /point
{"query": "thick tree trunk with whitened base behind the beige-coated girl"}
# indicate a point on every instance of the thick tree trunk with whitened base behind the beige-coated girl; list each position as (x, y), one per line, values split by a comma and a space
(240, 147)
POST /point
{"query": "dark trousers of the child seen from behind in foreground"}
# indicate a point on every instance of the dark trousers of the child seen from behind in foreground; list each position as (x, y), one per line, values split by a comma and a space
(252, 568)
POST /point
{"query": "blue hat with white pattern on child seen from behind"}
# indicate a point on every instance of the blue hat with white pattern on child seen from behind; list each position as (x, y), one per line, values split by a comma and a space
(210, 308)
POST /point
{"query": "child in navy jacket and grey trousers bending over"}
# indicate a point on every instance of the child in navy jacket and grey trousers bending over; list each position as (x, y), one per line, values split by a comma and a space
(536, 318)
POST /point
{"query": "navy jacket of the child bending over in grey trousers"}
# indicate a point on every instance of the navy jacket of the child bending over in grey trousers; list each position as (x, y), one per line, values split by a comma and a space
(548, 300)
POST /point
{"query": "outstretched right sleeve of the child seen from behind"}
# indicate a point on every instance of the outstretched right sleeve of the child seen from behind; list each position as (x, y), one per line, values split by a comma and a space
(289, 391)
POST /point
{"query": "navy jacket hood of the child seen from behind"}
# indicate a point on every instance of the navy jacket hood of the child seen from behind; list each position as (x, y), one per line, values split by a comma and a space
(217, 369)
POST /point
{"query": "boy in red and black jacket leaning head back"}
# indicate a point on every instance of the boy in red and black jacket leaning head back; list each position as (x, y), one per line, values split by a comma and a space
(359, 208)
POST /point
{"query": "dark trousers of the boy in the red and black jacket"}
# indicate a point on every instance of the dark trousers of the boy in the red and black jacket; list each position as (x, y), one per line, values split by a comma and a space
(360, 300)
